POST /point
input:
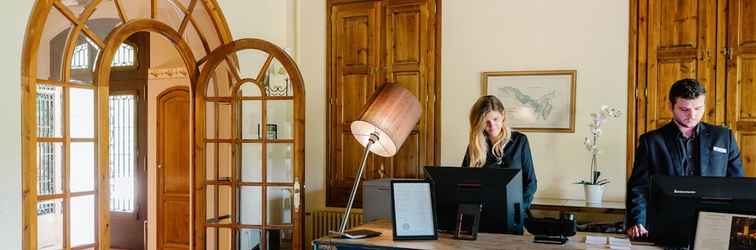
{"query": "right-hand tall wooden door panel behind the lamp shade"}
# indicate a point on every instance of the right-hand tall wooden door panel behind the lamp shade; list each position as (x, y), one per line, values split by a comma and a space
(410, 42)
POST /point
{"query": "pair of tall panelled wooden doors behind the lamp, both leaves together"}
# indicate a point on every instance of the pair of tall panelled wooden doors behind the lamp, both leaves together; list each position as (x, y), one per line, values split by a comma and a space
(371, 43)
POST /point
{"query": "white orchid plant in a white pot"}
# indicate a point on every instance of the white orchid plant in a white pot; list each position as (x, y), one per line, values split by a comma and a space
(591, 142)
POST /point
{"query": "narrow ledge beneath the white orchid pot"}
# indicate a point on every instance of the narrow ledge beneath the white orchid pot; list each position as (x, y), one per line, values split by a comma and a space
(566, 205)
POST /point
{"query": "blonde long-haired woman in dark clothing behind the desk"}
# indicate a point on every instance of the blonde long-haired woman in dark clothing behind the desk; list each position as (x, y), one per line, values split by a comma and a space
(494, 145)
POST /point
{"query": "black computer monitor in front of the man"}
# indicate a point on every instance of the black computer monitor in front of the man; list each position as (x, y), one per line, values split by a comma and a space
(674, 201)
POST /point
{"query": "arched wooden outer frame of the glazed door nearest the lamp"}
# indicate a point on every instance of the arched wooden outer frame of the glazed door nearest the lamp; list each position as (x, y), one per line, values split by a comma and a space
(213, 59)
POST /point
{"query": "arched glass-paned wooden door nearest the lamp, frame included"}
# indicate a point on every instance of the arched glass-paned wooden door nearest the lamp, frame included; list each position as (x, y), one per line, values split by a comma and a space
(251, 196)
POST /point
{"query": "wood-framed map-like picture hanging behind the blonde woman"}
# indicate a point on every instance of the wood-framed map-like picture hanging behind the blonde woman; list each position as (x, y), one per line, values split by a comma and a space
(536, 101)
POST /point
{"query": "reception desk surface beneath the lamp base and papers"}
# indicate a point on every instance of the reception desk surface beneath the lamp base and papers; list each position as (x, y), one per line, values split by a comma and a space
(446, 241)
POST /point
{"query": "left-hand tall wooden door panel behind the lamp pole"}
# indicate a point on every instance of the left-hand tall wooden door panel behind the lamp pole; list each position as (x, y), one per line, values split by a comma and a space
(354, 59)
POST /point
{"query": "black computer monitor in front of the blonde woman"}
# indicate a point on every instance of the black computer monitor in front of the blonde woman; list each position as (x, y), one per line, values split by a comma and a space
(498, 190)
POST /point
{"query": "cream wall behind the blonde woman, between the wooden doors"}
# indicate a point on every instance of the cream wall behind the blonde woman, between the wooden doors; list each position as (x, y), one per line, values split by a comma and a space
(493, 35)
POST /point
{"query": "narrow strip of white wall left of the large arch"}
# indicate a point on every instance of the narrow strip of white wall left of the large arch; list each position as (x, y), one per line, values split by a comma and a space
(13, 18)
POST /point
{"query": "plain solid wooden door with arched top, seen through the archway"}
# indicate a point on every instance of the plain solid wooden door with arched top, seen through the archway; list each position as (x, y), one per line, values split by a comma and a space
(173, 169)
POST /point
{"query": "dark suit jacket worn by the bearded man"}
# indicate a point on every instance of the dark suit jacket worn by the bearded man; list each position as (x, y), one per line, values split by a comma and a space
(719, 156)
